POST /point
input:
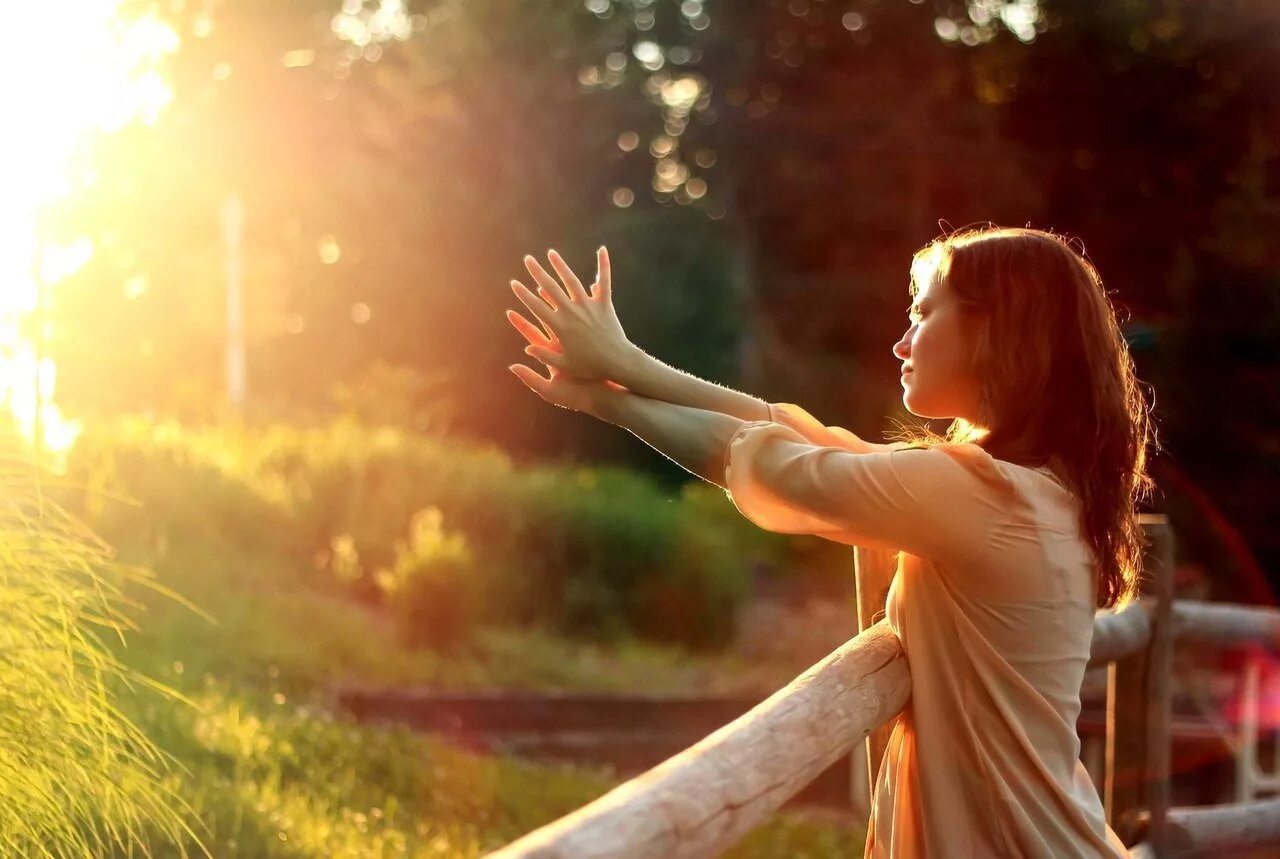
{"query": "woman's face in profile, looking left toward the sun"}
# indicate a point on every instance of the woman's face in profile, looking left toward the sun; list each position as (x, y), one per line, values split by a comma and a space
(936, 354)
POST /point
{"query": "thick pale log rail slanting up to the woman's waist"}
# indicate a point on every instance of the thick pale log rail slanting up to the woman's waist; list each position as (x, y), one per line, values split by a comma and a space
(710, 796)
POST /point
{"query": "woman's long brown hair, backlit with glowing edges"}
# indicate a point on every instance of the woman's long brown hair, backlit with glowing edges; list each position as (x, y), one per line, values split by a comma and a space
(1058, 386)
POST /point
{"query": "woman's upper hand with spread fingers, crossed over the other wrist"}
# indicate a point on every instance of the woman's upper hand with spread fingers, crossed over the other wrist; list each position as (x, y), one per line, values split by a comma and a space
(583, 336)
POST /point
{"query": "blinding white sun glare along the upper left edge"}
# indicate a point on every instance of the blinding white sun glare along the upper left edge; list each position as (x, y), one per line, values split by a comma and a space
(67, 79)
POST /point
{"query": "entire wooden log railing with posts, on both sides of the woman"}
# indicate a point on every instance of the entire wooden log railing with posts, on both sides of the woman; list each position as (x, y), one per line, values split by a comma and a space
(702, 801)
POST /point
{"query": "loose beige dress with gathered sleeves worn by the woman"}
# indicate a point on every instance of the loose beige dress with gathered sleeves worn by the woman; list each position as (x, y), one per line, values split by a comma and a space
(994, 604)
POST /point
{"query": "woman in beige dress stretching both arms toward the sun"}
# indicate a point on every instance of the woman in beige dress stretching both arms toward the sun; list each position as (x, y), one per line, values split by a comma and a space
(1013, 529)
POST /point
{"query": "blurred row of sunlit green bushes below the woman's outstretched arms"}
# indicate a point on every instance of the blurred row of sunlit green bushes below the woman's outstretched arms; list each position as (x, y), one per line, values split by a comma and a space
(597, 554)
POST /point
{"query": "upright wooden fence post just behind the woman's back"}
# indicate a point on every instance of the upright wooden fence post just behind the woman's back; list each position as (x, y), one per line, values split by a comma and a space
(1139, 706)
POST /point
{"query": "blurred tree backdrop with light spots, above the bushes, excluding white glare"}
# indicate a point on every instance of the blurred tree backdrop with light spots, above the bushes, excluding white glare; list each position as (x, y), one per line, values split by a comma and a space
(779, 163)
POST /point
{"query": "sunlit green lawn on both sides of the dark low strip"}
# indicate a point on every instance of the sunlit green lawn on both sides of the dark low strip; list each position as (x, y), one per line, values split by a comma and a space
(271, 771)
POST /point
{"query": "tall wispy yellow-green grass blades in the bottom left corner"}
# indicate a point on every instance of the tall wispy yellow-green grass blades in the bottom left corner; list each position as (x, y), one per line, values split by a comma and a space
(79, 776)
